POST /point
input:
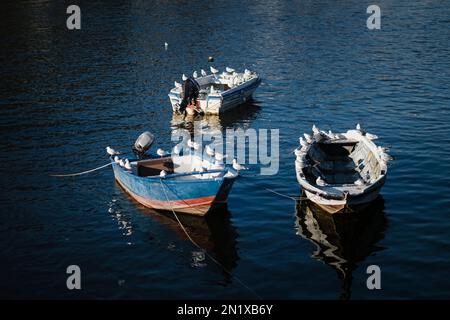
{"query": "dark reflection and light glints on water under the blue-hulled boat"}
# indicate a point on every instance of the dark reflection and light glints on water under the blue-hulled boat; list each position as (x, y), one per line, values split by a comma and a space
(214, 233)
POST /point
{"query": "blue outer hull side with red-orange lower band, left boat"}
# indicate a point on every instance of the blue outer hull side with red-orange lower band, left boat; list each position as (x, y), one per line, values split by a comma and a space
(195, 197)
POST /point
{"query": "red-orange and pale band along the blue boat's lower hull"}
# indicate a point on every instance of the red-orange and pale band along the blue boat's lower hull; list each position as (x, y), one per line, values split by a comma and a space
(198, 206)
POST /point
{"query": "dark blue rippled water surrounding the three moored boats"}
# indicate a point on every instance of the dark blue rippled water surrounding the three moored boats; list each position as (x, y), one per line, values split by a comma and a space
(66, 95)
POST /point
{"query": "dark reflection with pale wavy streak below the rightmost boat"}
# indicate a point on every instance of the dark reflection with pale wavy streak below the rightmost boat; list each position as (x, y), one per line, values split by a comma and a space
(342, 240)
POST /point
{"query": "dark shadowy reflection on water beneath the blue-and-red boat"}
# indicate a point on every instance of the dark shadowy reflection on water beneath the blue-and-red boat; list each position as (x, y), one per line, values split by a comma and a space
(214, 233)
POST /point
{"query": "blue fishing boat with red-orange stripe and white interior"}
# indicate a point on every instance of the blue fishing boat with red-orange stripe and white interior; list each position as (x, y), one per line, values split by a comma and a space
(188, 183)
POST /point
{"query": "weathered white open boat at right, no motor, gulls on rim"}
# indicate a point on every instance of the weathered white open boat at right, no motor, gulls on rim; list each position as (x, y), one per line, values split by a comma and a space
(340, 170)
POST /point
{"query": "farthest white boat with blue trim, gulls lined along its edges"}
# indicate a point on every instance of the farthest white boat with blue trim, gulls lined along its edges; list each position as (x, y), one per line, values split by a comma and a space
(218, 92)
